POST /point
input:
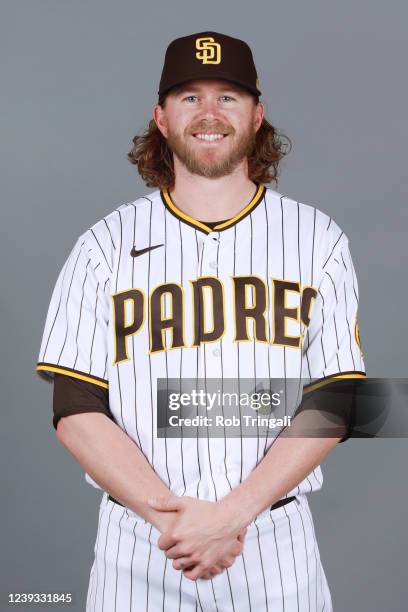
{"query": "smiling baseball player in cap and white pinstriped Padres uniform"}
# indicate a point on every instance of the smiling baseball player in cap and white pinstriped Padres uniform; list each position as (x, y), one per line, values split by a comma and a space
(213, 275)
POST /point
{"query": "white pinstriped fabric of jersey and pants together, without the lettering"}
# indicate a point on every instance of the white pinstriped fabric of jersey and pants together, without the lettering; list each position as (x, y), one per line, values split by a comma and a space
(279, 238)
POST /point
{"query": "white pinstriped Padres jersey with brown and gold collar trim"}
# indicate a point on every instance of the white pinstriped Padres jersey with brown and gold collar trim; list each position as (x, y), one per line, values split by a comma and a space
(110, 319)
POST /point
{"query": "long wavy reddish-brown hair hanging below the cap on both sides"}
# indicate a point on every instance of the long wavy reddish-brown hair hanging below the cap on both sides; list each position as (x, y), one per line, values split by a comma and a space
(154, 158)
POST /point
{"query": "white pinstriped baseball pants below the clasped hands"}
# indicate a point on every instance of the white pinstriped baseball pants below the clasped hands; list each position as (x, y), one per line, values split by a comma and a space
(279, 570)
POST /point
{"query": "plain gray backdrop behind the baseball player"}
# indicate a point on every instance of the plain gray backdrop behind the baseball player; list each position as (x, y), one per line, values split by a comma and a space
(78, 80)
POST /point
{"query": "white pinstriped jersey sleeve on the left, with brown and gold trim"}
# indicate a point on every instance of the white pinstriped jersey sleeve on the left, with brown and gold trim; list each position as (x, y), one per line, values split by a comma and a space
(74, 340)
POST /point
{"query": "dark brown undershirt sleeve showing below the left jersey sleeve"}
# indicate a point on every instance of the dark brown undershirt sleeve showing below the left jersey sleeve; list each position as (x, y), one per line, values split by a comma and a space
(73, 396)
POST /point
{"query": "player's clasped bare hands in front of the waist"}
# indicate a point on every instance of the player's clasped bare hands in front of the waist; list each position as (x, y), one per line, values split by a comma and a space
(200, 536)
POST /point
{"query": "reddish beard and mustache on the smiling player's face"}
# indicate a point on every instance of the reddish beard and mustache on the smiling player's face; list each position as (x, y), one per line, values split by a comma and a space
(209, 163)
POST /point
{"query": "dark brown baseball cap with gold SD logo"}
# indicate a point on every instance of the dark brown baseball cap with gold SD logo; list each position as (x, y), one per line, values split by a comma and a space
(208, 55)
